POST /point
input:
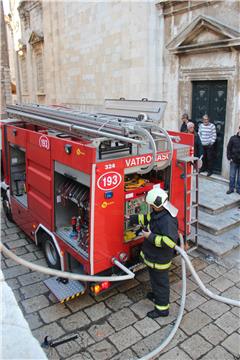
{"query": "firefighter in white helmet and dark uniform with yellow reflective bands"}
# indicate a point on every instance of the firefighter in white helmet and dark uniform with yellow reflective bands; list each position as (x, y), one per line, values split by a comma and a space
(160, 229)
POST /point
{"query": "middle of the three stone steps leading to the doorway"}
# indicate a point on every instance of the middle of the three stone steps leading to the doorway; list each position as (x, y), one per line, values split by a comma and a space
(219, 223)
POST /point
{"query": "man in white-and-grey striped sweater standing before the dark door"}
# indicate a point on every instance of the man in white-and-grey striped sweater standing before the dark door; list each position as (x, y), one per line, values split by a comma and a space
(208, 136)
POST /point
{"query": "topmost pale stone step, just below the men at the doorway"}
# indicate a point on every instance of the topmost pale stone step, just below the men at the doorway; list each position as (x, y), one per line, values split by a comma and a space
(213, 198)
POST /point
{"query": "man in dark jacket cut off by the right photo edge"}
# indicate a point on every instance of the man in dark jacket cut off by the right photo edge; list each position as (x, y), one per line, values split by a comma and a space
(233, 154)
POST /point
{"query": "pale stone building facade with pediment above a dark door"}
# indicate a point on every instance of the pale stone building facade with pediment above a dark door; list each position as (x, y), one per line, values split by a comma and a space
(183, 52)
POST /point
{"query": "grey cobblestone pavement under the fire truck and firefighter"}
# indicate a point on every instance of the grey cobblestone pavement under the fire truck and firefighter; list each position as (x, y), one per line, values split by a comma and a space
(115, 326)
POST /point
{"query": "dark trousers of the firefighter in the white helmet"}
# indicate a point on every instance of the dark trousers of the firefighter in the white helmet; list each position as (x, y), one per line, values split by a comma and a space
(160, 286)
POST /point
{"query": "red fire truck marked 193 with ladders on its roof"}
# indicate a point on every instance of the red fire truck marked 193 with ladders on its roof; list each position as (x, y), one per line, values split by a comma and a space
(69, 178)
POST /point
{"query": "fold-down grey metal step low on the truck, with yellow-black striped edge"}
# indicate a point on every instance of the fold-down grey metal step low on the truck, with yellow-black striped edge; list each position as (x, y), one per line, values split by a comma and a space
(65, 291)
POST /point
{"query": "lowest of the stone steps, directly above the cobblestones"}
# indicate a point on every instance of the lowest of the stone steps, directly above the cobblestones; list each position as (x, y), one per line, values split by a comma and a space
(219, 245)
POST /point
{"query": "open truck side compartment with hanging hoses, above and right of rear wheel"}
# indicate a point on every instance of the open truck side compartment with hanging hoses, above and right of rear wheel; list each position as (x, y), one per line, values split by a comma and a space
(72, 205)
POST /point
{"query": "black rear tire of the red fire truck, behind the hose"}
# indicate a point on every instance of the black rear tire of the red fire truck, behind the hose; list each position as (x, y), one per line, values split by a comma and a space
(50, 252)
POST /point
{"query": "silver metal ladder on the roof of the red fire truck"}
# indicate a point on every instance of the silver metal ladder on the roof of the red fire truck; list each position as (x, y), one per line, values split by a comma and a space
(126, 121)
